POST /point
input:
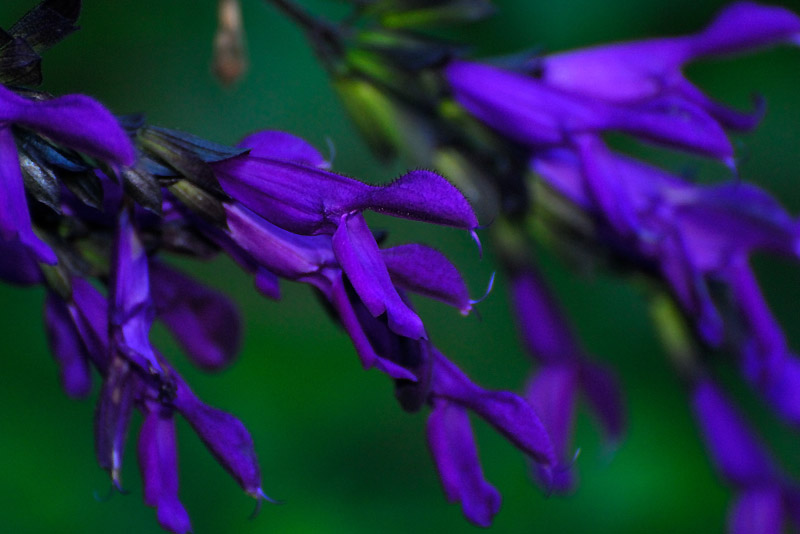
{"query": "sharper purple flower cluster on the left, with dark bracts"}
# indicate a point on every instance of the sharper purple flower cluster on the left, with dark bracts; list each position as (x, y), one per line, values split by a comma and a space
(108, 197)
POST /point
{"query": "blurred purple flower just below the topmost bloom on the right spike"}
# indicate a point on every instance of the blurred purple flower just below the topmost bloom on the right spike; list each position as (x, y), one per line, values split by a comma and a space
(530, 112)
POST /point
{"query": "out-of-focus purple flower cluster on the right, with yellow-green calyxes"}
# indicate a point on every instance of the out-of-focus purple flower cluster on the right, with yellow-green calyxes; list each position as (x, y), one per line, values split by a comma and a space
(524, 137)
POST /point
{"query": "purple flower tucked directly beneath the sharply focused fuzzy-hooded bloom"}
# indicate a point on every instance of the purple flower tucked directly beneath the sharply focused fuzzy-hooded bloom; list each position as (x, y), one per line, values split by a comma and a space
(313, 260)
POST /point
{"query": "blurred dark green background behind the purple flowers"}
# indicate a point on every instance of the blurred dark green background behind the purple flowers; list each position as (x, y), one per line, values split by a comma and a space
(332, 442)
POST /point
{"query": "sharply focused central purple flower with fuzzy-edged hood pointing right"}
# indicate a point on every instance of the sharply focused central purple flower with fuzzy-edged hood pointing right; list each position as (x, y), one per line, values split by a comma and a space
(281, 182)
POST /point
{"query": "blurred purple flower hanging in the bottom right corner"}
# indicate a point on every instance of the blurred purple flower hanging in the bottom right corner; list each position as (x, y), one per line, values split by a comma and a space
(765, 499)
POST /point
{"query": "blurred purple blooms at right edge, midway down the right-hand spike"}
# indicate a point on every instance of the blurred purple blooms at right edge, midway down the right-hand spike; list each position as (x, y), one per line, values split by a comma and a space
(695, 235)
